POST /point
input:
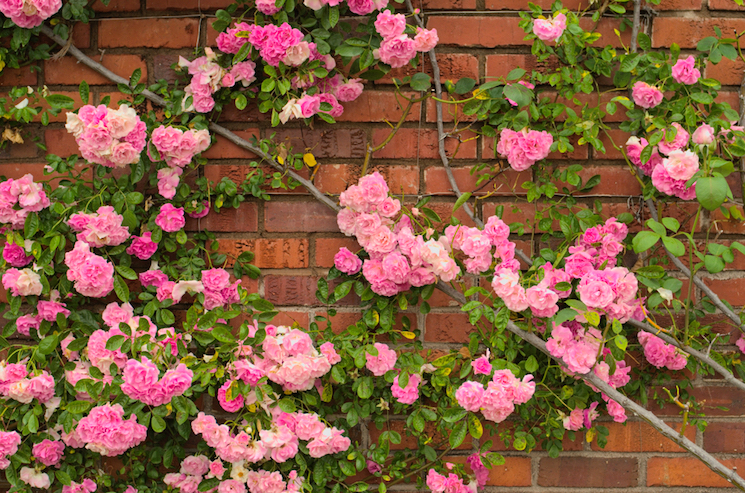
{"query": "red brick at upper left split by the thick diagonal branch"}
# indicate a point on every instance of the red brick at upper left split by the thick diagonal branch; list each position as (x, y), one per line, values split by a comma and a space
(67, 70)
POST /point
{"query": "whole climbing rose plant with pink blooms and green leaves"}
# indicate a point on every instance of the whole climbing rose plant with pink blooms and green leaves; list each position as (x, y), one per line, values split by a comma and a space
(135, 361)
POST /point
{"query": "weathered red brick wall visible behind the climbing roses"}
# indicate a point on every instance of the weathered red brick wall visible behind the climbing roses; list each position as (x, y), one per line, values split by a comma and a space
(295, 238)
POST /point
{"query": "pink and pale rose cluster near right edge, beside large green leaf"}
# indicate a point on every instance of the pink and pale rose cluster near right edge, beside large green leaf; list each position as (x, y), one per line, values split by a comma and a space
(670, 166)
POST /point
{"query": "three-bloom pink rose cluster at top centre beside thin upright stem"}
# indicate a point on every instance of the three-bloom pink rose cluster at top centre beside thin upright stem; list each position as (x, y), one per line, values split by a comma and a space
(397, 49)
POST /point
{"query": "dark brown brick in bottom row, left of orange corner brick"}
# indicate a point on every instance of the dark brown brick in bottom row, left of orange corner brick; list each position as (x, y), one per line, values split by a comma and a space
(587, 472)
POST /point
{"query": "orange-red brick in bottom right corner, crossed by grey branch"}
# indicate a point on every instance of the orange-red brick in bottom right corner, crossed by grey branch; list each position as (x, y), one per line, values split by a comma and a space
(690, 472)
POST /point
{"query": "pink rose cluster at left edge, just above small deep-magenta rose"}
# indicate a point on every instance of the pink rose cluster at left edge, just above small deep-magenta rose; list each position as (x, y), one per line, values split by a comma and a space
(18, 198)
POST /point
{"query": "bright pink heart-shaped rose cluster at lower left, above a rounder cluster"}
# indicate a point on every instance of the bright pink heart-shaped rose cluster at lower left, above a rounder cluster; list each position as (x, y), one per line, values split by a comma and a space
(142, 382)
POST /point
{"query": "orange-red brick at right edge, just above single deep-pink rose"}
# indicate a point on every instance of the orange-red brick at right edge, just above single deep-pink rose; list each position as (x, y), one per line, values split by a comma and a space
(687, 32)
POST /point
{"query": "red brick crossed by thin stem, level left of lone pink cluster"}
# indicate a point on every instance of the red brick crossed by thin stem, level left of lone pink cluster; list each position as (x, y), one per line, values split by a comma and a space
(415, 143)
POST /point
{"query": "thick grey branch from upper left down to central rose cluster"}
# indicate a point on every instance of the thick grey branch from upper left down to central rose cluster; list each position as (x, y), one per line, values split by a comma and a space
(218, 129)
